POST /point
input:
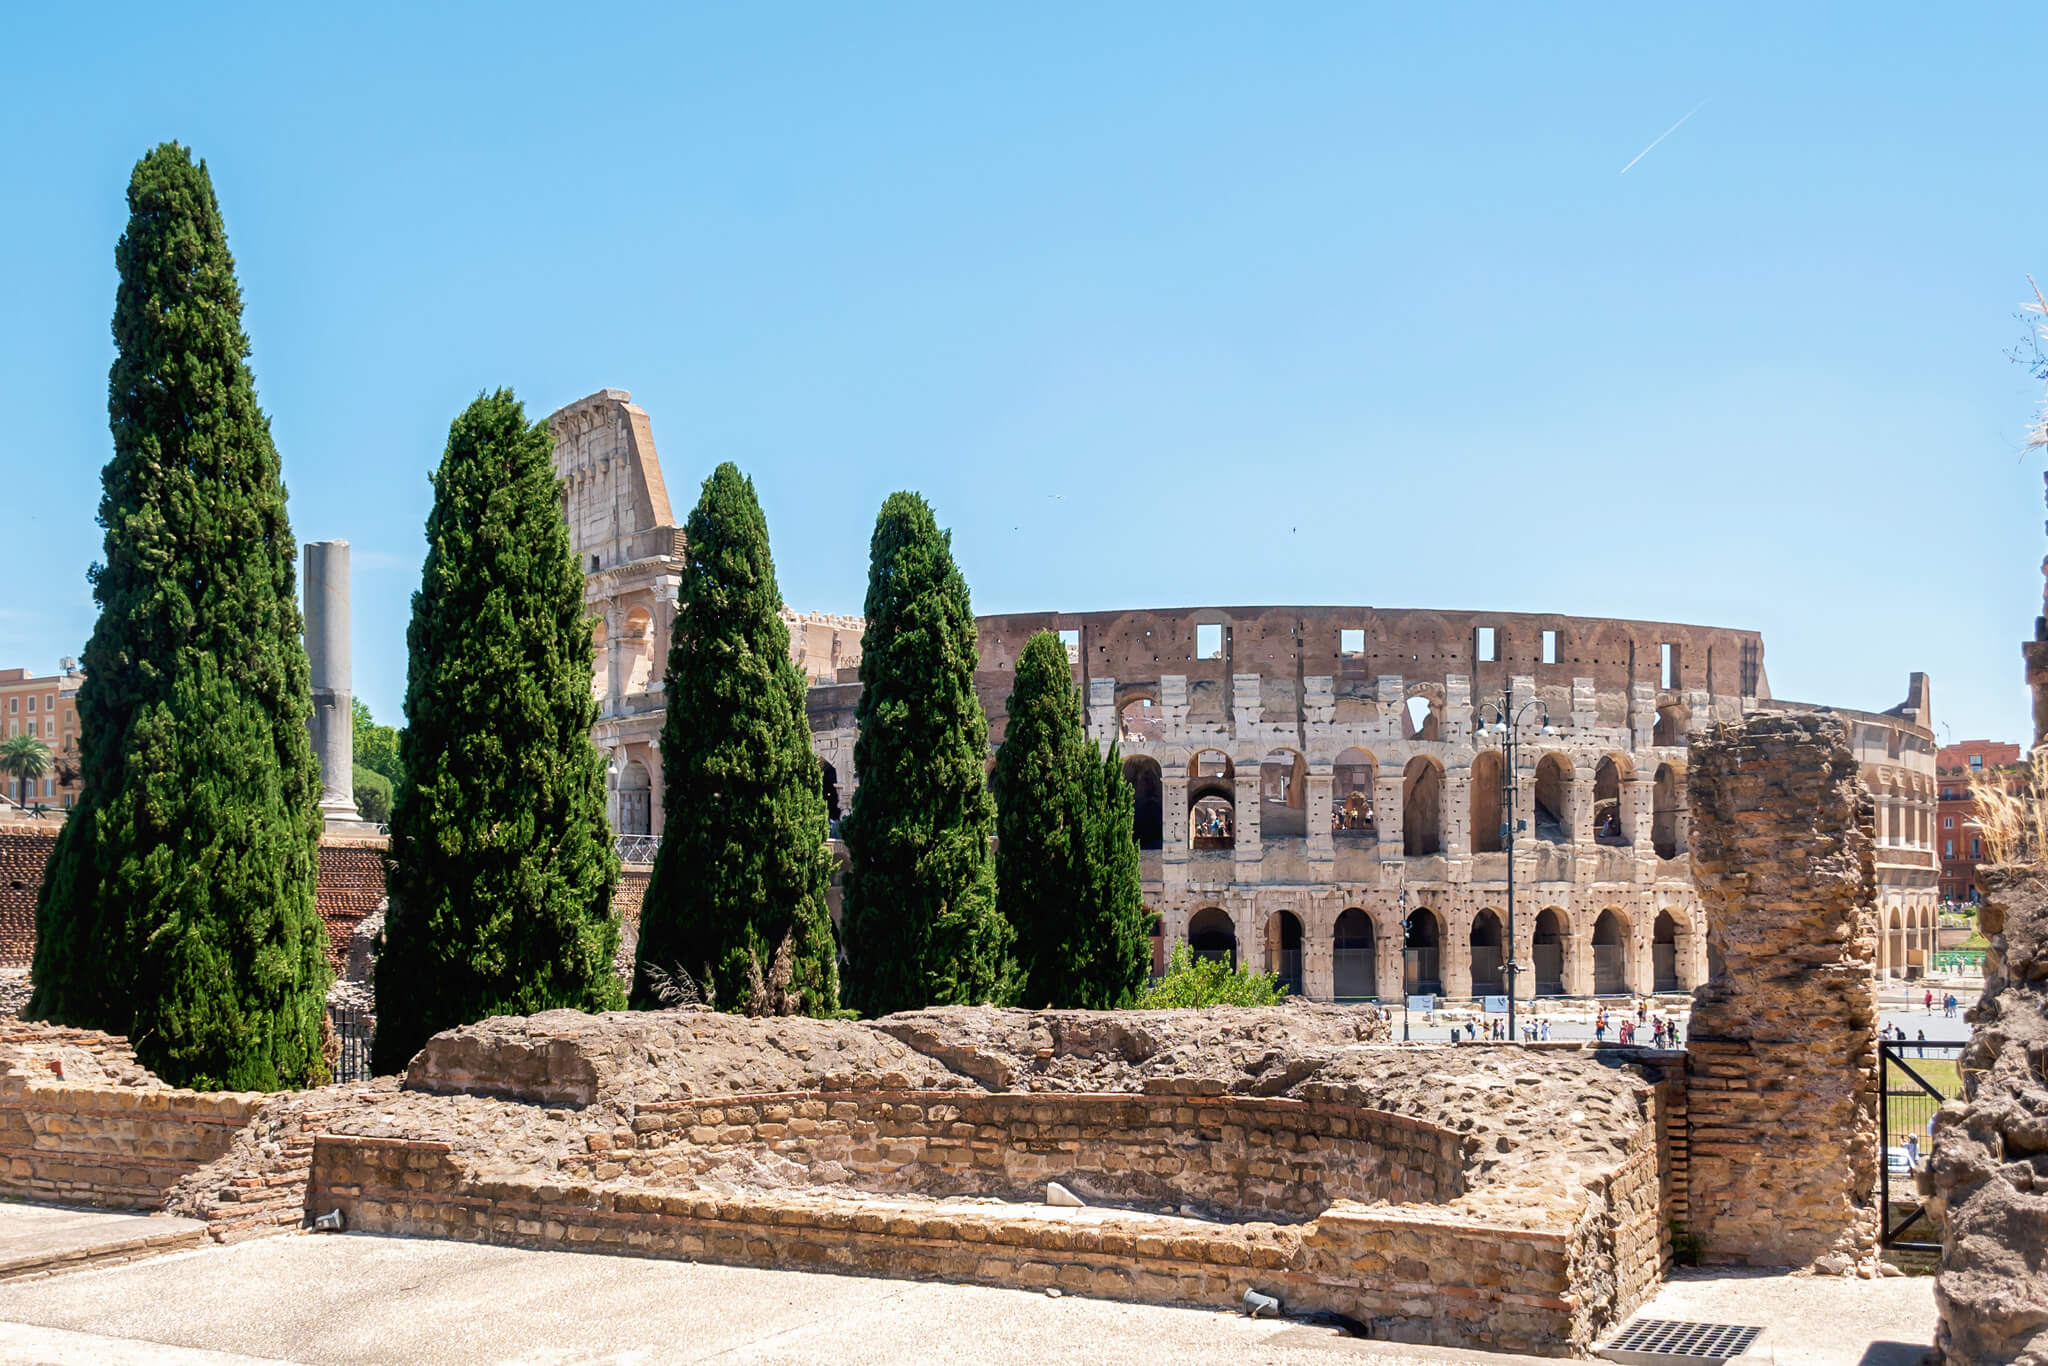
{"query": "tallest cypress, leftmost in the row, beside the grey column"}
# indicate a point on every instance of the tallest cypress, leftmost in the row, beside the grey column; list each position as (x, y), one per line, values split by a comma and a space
(179, 902)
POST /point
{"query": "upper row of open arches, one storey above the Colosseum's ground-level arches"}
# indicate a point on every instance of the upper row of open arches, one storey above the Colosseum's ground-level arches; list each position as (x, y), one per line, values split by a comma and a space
(1283, 798)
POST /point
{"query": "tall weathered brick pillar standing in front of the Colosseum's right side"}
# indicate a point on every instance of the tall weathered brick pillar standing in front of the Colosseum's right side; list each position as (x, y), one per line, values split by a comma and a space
(1785, 1080)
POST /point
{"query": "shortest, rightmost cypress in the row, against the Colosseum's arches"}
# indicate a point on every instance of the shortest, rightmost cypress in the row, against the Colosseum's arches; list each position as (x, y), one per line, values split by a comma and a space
(1066, 853)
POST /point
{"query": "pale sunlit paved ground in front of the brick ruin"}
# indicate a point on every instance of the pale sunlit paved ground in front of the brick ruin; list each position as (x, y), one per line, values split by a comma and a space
(359, 1301)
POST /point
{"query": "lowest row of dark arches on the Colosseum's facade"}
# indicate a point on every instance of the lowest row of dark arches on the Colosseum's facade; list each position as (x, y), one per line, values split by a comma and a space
(1611, 955)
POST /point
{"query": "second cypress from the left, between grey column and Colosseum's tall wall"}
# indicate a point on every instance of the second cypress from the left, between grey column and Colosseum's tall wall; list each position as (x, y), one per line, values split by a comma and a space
(501, 869)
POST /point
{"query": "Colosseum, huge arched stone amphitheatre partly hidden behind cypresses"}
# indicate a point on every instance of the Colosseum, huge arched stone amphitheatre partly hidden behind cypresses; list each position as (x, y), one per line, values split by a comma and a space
(1328, 794)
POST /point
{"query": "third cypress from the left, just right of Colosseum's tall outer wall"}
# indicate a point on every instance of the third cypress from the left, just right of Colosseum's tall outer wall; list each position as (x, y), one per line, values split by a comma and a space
(738, 890)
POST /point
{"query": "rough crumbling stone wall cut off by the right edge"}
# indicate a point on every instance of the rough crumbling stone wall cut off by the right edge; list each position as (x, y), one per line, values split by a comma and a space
(1990, 1166)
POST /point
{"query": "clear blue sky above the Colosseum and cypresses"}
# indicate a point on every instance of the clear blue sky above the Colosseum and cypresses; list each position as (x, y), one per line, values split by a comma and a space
(1160, 304)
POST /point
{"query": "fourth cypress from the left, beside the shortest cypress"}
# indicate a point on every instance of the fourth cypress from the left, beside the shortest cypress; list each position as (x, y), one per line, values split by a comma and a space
(921, 892)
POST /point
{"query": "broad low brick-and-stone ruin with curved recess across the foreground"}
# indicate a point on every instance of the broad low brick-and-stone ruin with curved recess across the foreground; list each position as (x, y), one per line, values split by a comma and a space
(1465, 1197)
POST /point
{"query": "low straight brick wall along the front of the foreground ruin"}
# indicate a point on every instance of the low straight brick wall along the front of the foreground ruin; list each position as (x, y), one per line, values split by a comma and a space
(1416, 1275)
